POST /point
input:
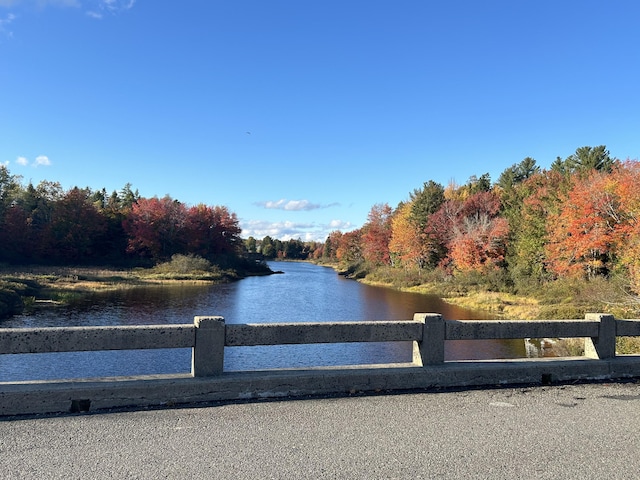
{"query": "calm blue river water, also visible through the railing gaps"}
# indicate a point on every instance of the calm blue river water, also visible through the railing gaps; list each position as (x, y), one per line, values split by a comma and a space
(303, 293)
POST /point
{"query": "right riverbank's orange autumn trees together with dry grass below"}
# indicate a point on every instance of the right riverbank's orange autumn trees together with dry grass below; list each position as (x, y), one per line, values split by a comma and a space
(537, 243)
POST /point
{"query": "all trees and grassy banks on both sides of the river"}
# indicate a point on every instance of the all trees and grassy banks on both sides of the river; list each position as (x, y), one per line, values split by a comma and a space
(535, 244)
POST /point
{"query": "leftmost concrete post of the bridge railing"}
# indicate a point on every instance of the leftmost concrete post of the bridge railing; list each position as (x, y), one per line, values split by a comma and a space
(207, 358)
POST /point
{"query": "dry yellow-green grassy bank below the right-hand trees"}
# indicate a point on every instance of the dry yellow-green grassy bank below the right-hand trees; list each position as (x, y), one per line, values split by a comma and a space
(563, 299)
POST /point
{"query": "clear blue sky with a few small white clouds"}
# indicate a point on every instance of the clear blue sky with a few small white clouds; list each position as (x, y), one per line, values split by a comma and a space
(300, 115)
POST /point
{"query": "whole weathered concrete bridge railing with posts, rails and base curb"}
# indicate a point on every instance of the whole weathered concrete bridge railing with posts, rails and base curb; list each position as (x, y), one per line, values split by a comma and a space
(208, 337)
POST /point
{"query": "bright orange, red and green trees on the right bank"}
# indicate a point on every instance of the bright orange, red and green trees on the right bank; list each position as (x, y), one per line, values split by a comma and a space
(579, 219)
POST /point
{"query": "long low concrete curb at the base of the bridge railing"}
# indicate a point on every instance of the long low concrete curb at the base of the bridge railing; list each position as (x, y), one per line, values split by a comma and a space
(89, 395)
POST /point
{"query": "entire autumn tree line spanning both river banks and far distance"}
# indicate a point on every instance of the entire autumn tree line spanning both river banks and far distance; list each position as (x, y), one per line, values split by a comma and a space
(577, 219)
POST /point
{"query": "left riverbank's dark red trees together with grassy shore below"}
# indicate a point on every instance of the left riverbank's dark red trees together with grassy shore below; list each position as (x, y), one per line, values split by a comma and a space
(54, 241)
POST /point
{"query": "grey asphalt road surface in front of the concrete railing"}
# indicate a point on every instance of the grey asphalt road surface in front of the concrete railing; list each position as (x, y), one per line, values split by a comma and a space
(555, 432)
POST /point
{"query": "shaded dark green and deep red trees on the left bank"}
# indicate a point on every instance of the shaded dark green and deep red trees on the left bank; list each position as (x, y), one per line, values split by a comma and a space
(45, 224)
